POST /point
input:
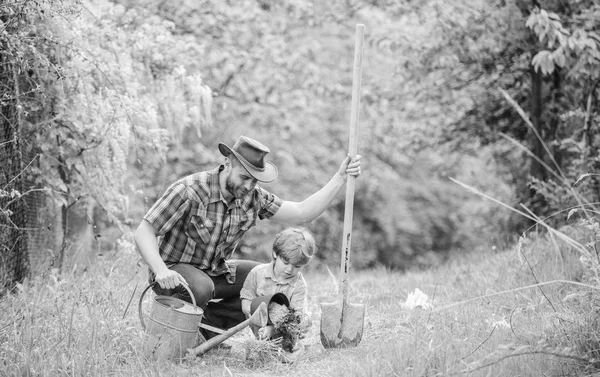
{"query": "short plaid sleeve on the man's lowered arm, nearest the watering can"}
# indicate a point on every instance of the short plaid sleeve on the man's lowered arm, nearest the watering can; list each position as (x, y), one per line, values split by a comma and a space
(169, 208)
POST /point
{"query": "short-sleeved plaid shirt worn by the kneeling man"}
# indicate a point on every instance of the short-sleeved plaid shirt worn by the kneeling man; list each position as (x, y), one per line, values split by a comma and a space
(196, 226)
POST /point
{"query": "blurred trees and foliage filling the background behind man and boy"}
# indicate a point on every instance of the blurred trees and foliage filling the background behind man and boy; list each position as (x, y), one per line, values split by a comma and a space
(113, 100)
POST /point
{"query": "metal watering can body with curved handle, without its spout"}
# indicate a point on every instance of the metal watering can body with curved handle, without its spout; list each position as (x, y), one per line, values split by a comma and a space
(172, 326)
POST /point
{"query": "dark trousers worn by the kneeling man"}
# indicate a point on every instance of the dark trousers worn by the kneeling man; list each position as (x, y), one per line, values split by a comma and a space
(219, 299)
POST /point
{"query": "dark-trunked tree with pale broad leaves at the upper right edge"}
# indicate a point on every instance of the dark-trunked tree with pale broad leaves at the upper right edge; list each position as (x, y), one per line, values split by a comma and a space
(569, 56)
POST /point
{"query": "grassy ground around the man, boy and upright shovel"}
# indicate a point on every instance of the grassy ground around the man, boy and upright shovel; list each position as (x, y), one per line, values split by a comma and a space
(485, 316)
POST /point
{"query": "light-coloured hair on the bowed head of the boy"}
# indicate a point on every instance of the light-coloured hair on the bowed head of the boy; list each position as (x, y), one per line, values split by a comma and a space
(295, 245)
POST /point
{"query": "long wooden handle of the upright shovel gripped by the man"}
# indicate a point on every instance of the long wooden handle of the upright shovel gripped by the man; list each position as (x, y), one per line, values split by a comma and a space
(353, 150)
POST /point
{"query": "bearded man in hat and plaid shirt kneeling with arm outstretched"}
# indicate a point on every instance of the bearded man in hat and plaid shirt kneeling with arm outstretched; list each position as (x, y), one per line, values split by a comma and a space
(201, 218)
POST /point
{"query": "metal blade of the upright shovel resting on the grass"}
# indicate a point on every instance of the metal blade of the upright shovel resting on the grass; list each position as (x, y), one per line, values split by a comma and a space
(341, 324)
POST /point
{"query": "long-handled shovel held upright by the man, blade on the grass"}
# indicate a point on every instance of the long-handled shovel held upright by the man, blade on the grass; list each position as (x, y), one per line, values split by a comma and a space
(341, 321)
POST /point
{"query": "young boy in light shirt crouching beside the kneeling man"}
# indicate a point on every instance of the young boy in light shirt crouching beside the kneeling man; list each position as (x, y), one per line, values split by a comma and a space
(293, 248)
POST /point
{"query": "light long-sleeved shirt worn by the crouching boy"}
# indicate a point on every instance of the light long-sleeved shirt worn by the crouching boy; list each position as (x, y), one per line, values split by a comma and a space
(261, 282)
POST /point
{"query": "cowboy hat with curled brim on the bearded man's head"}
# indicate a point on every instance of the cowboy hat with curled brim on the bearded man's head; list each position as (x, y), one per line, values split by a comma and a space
(251, 154)
